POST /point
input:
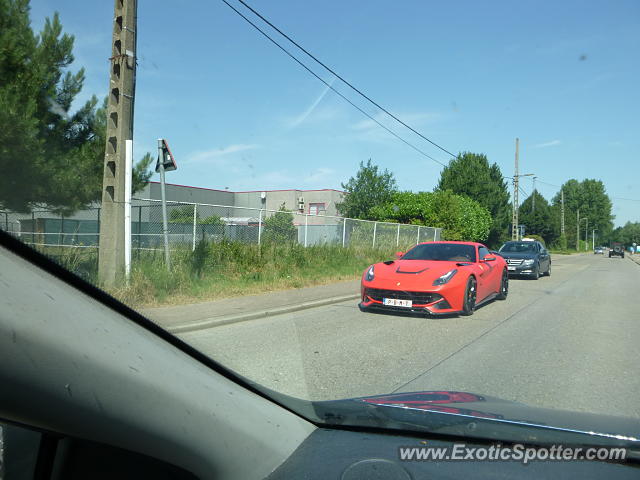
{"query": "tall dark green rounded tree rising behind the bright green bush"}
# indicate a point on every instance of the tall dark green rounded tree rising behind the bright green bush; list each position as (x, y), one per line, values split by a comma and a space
(470, 174)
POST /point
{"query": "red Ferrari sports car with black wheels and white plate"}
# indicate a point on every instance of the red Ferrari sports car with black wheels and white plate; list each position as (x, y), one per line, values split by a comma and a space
(436, 278)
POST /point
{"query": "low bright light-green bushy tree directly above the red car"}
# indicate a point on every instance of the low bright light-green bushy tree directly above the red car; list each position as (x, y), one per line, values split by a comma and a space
(460, 217)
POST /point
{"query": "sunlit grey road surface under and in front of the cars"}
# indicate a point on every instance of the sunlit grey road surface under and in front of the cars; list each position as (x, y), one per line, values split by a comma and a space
(569, 341)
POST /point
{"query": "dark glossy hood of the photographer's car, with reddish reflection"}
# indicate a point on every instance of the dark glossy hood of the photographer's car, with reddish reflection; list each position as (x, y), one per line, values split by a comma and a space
(463, 414)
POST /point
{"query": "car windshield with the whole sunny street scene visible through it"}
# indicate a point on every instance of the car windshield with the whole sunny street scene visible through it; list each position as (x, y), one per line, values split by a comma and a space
(252, 200)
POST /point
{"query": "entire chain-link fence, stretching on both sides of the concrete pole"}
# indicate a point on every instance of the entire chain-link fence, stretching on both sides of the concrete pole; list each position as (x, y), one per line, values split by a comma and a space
(187, 223)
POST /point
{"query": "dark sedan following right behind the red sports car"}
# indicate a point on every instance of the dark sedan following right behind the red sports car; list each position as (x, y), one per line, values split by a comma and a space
(527, 258)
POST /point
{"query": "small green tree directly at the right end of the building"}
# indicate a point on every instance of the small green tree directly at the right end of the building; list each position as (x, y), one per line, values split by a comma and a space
(369, 188)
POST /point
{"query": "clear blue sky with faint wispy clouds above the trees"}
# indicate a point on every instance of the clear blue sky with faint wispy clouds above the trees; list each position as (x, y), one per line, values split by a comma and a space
(562, 76)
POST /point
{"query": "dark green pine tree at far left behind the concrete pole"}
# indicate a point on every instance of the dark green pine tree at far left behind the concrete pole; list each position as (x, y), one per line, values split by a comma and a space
(53, 156)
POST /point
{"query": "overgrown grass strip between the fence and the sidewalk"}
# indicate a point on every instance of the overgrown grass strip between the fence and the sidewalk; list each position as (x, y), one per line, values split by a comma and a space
(227, 269)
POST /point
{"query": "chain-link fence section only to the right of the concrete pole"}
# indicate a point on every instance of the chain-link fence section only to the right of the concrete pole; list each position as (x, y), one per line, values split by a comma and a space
(190, 222)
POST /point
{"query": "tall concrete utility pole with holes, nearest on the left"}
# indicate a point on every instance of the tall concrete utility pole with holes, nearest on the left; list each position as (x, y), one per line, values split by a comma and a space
(122, 81)
